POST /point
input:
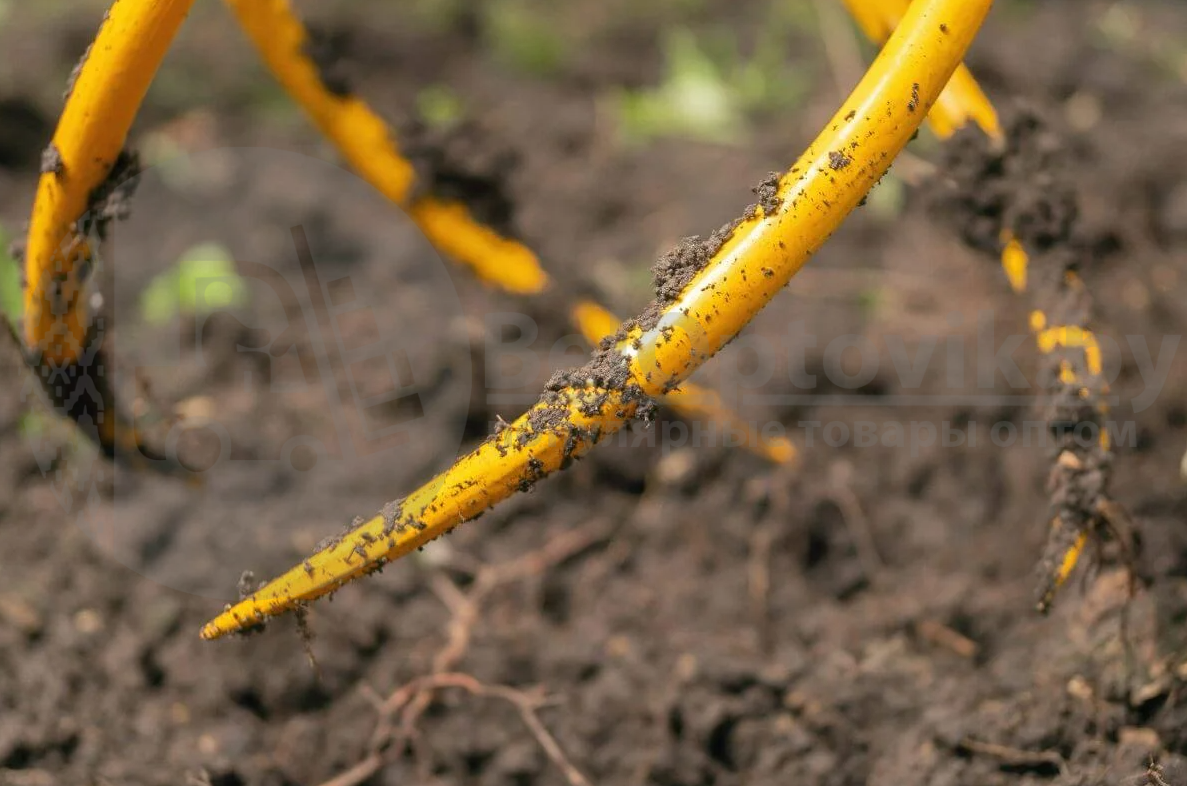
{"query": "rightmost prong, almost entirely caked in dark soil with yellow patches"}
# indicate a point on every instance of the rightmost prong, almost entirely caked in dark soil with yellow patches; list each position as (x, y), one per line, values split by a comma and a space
(1075, 388)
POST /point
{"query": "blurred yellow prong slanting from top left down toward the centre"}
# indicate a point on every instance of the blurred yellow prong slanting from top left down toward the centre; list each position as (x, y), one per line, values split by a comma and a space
(370, 147)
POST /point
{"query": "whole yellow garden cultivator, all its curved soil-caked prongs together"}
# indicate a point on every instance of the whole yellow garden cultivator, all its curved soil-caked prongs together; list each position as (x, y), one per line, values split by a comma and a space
(707, 289)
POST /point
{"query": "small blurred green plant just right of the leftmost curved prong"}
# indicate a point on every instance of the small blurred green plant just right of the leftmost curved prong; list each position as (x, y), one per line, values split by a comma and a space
(202, 282)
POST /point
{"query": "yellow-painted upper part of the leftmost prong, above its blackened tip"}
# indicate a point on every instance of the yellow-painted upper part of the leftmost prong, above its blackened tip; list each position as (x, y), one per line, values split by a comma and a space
(99, 112)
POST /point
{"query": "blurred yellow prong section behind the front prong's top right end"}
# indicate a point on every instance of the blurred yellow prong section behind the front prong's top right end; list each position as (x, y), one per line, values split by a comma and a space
(962, 102)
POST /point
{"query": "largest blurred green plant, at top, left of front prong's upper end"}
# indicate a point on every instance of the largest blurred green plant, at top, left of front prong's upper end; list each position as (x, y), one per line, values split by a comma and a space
(710, 88)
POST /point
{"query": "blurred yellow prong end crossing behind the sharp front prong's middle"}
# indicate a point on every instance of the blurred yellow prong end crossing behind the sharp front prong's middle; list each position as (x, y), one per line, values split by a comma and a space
(690, 401)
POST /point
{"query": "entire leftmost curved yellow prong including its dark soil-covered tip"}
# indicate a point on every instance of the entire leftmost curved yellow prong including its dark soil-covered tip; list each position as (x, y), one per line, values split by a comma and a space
(106, 92)
